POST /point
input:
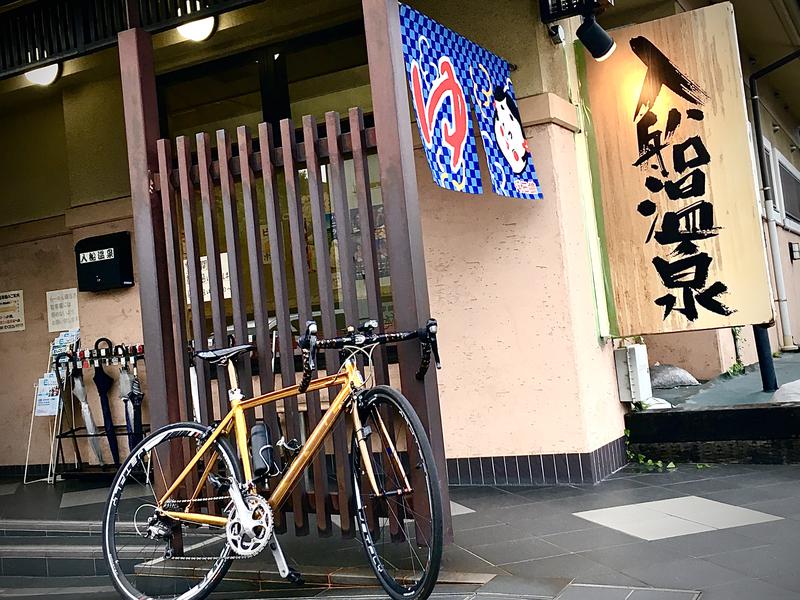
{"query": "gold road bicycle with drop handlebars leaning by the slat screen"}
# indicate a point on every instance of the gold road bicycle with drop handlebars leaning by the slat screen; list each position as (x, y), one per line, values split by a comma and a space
(176, 537)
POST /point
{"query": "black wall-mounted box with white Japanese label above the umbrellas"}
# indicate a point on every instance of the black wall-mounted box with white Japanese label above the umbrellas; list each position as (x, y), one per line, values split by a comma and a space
(104, 262)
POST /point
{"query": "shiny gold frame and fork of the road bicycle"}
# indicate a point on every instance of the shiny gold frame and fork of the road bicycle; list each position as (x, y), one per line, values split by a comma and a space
(349, 379)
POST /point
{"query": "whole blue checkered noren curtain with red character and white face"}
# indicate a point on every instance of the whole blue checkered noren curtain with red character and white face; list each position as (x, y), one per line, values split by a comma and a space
(447, 73)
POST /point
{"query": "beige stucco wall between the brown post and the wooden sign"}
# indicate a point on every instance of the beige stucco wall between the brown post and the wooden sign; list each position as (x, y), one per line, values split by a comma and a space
(512, 281)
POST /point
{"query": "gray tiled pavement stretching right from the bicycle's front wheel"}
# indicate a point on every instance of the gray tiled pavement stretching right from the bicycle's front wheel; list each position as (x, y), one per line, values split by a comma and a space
(536, 546)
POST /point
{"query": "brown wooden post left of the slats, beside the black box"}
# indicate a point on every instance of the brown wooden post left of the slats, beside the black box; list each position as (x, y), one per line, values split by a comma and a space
(141, 133)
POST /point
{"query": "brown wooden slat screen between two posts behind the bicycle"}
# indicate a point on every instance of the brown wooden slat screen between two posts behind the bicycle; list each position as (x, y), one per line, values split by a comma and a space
(241, 185)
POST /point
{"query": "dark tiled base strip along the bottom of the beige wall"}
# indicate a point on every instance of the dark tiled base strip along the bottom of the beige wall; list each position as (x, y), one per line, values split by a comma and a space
(539, 469)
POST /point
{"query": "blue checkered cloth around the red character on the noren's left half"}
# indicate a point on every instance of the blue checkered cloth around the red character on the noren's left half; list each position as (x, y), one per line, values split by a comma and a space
(426, 42)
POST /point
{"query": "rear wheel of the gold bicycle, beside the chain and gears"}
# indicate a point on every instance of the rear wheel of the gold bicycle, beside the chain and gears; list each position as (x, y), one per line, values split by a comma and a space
(152, 557)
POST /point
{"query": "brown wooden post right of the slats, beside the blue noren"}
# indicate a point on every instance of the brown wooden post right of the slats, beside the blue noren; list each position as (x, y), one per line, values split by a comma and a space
(401, 210)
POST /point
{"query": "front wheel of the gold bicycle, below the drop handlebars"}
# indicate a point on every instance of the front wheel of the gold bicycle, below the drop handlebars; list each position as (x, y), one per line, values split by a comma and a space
(400, 525)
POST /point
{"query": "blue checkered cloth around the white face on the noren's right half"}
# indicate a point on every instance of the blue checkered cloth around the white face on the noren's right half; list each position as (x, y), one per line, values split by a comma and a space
(487, 72)
